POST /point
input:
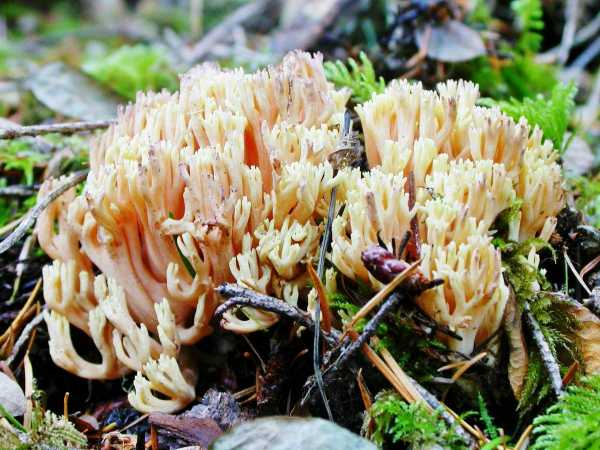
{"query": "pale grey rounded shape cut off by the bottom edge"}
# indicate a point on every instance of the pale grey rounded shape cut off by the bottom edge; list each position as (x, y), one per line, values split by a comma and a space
(290, 433)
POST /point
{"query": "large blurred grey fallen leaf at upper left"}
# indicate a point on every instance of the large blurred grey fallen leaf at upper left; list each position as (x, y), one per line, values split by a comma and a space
(72, 94)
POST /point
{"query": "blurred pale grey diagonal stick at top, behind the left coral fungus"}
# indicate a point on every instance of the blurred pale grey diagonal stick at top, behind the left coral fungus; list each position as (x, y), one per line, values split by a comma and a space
(221, 31)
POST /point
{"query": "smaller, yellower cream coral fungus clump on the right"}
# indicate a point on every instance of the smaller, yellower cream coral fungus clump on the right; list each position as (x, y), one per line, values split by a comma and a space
(469, 164)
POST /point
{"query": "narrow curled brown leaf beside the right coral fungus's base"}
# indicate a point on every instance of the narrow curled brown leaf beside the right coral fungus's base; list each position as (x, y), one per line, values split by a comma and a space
(518, 358)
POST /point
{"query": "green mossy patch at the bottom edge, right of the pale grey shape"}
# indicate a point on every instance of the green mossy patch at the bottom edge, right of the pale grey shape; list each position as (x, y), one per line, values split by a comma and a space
(411, 424)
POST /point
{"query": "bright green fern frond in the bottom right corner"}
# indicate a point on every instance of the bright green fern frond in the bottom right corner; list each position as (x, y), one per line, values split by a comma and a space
(572, 423)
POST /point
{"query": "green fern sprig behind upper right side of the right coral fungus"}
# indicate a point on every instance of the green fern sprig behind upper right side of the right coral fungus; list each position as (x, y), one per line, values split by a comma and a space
(552, 114)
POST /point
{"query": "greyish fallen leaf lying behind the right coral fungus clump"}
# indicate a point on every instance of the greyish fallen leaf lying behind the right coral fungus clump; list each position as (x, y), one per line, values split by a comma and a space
(453, 41)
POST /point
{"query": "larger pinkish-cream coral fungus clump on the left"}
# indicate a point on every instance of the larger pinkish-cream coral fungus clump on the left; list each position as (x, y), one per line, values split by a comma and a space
(226, 180)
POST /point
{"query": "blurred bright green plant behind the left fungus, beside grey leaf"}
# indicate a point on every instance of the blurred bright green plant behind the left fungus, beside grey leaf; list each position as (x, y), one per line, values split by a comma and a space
(130, 69)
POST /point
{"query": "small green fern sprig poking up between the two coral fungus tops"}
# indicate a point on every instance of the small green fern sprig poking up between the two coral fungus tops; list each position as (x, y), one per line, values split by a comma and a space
(360, 79)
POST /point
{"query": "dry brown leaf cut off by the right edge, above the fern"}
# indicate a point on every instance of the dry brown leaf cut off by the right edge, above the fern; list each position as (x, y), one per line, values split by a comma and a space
(588, 336)
